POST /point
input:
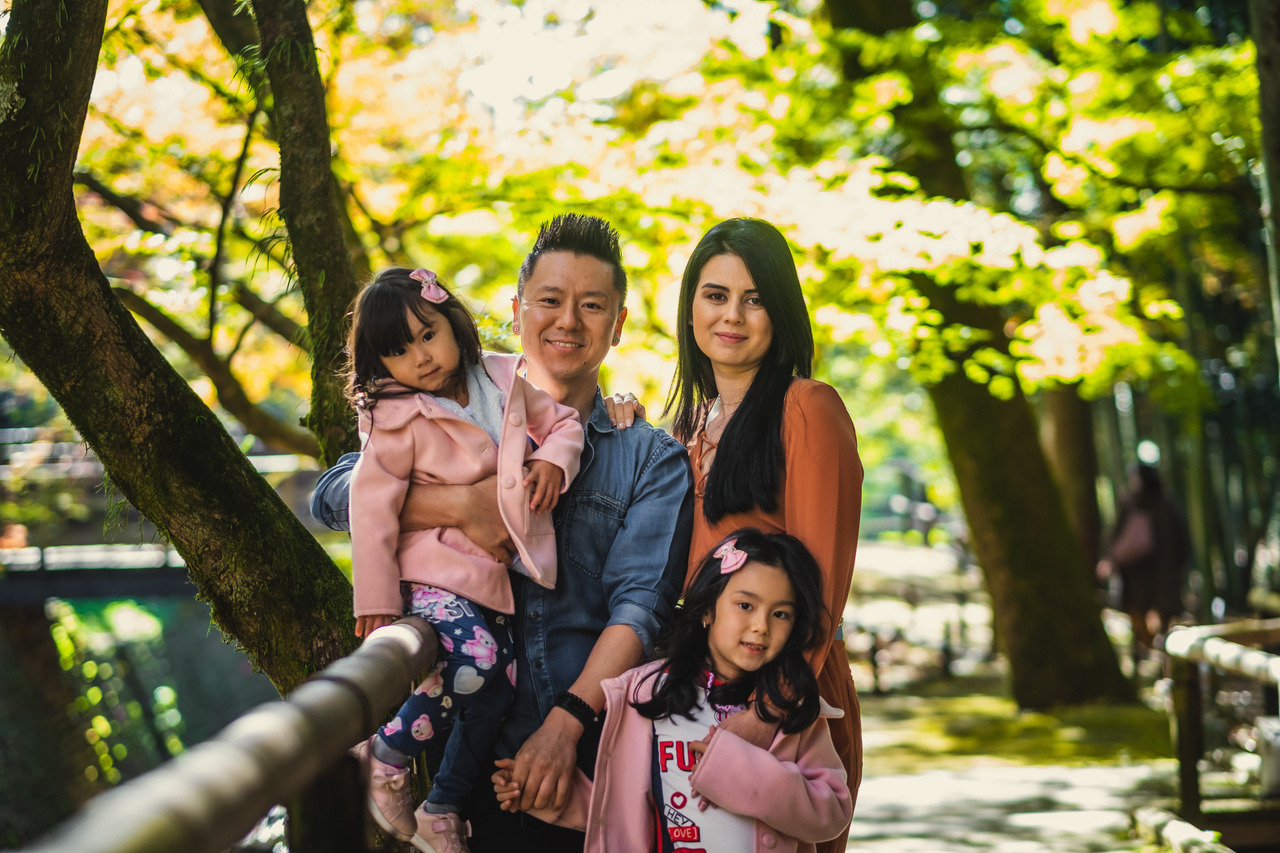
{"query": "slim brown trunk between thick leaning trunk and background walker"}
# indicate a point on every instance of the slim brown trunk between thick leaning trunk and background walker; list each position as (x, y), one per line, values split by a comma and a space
(1067, 436)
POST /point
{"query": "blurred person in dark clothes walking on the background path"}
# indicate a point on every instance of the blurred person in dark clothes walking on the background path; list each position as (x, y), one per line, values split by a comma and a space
(1148, 554)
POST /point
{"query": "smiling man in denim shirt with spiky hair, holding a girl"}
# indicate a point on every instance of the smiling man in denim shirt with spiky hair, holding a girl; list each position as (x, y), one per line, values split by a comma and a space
(623, 535)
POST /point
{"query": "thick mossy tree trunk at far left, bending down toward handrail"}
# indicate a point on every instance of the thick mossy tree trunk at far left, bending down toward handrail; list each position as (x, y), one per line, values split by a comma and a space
(268, 582)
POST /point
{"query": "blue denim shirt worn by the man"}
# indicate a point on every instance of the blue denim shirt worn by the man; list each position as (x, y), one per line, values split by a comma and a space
(623, 540)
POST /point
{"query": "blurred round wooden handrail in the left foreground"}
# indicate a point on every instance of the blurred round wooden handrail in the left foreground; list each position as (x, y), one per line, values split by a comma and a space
(213, 795)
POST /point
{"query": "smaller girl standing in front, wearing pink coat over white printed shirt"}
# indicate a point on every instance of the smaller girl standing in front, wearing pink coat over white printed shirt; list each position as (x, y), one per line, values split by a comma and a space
(738, 641)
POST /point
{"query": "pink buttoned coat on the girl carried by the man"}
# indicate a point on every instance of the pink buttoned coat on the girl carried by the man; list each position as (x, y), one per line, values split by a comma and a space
(413, 440)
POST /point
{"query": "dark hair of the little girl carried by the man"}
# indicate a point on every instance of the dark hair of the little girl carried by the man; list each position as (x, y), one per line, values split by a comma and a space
(380, 326)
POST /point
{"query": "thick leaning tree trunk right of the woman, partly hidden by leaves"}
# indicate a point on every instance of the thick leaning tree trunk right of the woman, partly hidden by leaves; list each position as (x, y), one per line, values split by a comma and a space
(1036, 572)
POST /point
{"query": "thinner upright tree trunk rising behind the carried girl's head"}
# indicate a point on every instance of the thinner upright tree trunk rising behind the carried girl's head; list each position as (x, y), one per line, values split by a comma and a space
(312, 211)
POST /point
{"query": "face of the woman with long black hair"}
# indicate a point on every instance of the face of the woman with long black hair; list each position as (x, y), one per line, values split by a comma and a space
(730, 323)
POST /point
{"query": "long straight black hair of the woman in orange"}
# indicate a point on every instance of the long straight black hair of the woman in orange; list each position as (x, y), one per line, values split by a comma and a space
(753, 439)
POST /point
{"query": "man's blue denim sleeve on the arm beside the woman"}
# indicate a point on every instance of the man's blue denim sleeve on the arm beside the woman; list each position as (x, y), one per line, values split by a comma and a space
(646, 568)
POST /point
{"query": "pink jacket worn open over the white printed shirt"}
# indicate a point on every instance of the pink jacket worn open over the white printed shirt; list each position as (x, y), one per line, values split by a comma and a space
(796, 790)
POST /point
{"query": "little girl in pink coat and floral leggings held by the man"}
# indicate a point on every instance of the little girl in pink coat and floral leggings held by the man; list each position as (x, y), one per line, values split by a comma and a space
(435, 409)
